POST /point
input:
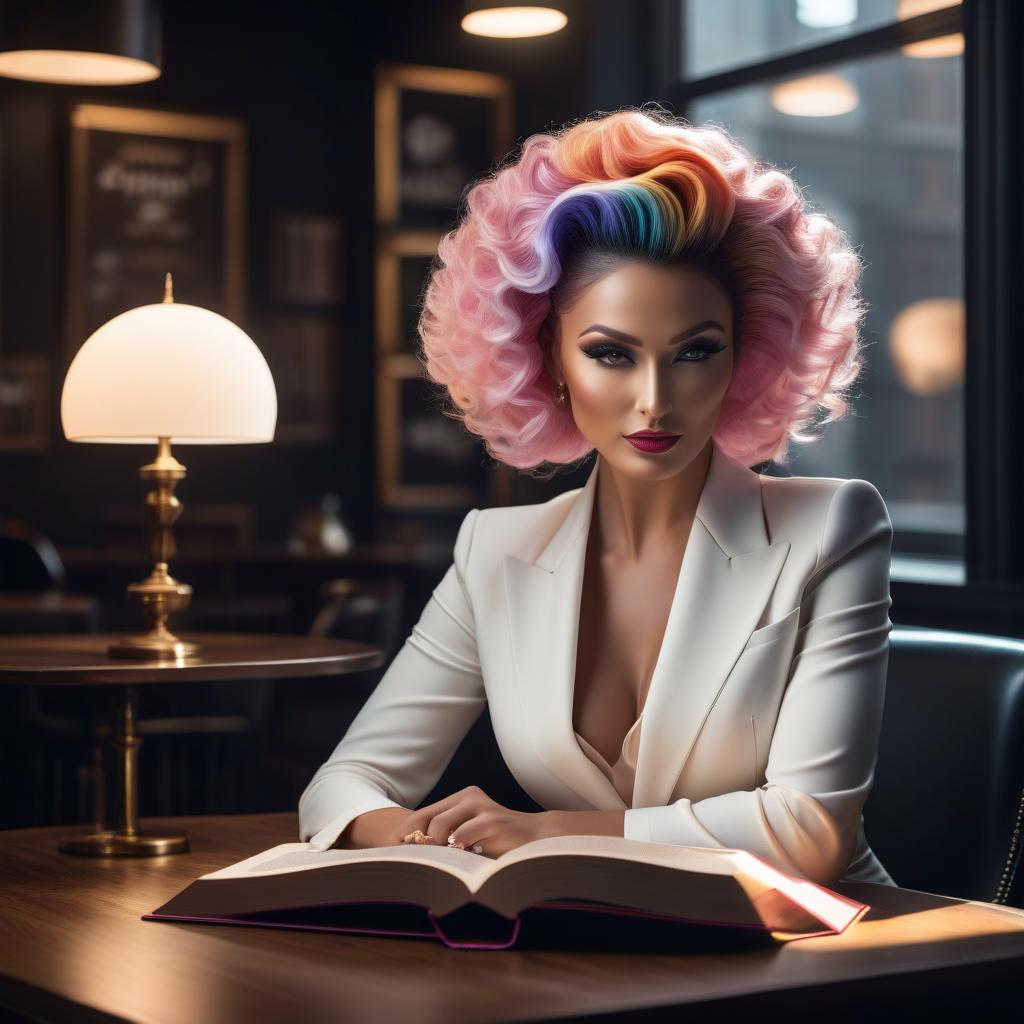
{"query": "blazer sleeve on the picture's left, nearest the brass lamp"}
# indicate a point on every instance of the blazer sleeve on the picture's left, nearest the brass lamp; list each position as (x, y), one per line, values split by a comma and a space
(407, 733)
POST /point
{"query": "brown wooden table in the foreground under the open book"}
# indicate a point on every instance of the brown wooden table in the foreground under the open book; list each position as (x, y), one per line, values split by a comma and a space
(73, 948)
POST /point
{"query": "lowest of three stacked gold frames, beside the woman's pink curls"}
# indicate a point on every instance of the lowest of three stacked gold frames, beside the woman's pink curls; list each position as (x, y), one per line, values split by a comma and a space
(426, 459)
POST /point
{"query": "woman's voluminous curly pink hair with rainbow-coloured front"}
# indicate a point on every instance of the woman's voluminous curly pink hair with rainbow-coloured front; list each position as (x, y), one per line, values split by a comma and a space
(642, 184)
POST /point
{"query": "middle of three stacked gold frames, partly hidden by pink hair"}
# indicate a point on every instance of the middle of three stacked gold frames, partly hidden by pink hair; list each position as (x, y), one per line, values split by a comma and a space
(405, 261)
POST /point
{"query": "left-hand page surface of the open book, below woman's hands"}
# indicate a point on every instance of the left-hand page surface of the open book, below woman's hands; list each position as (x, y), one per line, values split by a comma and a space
(470, 868)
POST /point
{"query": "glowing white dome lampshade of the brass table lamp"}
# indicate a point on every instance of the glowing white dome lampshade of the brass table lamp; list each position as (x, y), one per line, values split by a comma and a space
(169, 370)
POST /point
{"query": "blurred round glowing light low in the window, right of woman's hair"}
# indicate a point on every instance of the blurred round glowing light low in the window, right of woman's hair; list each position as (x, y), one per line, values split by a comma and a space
(927, 346)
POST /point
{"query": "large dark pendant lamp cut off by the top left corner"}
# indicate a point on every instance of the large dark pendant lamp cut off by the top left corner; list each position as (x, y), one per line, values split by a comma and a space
(80, 42)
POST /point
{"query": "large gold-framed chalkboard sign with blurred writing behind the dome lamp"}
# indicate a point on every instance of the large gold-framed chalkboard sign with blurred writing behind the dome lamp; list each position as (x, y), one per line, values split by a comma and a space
(154, 192)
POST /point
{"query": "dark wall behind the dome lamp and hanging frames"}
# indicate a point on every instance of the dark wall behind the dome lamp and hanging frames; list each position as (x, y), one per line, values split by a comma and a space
(303, 76)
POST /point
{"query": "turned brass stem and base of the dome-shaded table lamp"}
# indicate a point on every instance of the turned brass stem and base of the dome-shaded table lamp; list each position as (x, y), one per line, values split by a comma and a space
(160, 593)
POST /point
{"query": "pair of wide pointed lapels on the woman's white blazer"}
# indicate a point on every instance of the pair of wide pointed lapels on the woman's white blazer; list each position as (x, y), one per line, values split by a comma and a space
(728, 575)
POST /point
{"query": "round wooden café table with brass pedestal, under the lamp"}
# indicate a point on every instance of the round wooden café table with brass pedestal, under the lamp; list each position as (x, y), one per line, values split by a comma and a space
(81, 660)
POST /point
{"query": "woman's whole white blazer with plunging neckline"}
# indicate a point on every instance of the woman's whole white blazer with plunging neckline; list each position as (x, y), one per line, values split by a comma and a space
(761, 722)
